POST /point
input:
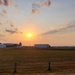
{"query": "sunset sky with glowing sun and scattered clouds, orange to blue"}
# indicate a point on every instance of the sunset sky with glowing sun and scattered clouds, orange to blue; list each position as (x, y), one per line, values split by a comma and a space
(47, 21)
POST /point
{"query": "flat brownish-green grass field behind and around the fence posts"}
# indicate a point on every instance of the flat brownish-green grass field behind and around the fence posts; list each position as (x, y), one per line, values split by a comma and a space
(33, 61)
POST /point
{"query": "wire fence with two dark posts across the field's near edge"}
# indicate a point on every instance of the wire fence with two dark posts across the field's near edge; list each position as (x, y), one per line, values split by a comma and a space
(37, 67)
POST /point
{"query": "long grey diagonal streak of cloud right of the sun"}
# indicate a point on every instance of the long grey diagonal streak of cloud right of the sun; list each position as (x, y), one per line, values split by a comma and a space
(60, 29)
